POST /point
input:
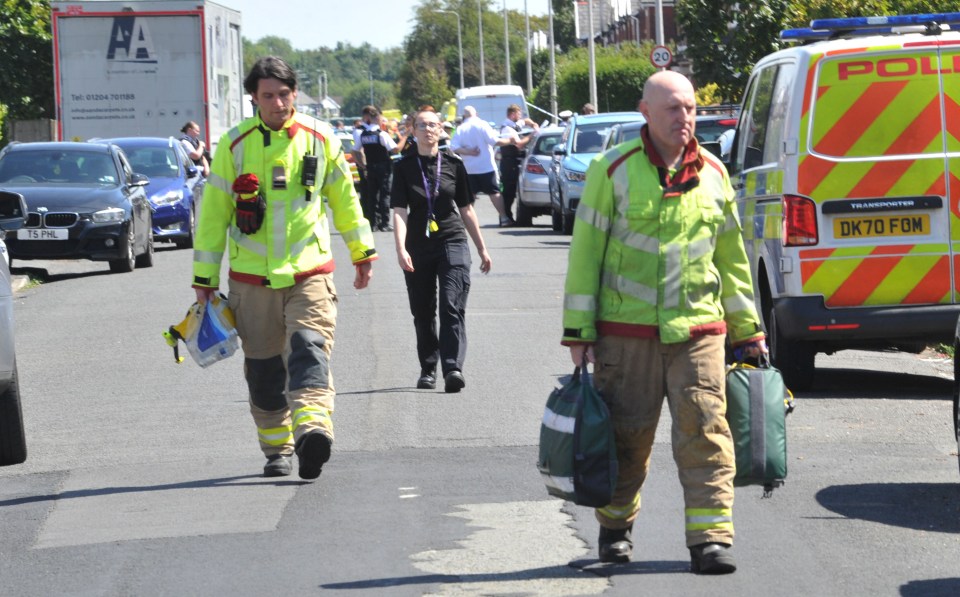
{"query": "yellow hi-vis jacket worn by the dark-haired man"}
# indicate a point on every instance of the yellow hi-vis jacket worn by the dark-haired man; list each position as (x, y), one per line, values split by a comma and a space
(294, 240)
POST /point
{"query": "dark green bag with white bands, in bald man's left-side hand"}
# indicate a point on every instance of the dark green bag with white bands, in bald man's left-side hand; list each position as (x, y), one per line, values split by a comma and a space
(578, 455)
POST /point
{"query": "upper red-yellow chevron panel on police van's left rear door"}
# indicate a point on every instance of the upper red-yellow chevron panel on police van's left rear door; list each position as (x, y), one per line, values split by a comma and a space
(882, 104)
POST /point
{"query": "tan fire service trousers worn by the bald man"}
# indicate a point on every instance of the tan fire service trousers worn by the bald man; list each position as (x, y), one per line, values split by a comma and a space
(634, 375)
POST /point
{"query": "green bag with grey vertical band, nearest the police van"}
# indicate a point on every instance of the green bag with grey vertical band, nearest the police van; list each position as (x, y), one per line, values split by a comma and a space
(757, 406)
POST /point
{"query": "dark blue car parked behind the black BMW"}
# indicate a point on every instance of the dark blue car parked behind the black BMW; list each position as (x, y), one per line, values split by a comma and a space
(175, 187)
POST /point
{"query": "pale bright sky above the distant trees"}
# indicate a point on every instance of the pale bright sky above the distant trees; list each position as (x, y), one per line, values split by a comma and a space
(323, 23)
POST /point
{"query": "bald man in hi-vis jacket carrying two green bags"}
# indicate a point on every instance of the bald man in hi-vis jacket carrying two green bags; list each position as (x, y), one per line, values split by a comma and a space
(657, 278)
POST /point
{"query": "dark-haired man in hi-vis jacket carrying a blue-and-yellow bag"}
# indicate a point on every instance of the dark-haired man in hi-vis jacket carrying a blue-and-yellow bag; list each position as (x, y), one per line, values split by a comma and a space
(263, 206)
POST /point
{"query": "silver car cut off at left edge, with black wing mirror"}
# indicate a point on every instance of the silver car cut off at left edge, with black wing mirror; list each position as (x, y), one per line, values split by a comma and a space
(13, 445)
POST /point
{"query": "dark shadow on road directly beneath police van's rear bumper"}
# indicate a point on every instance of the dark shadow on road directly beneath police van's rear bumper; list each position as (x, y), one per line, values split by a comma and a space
(860, 383)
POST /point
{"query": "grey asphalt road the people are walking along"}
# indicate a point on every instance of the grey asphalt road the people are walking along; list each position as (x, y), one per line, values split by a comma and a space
(143, 475)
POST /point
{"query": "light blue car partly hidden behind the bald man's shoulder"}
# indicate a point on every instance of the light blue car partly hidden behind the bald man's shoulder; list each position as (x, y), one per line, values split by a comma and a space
(582, 139)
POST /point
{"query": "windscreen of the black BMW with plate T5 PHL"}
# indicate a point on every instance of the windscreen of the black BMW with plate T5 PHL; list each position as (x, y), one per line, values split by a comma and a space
(57, 166)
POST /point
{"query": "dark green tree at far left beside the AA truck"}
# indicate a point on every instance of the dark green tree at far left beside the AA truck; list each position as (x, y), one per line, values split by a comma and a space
(26, 83)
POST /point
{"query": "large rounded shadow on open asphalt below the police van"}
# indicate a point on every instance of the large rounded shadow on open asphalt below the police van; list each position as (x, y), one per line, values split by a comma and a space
(928, 507)
